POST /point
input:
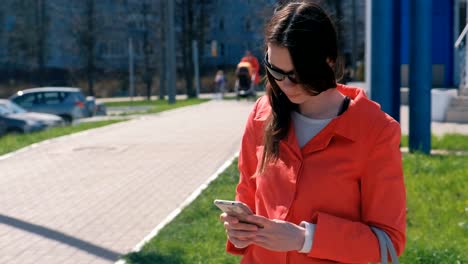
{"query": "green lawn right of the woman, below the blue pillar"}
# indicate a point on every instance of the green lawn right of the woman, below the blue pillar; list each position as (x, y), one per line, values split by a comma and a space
(437, 202)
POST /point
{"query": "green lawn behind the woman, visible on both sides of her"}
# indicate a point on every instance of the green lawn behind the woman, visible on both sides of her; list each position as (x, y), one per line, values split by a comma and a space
(437, 222)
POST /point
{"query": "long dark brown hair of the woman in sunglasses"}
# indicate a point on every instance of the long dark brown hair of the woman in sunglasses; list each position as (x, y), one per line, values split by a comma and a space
(309, 34)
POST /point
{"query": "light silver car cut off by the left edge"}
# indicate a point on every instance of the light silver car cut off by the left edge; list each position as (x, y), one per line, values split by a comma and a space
(12, 110)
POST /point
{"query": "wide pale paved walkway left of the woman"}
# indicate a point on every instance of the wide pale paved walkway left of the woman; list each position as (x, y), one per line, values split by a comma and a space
(92, 196)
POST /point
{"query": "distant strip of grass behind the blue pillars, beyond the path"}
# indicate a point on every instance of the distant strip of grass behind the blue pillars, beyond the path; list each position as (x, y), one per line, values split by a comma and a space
(447, 142)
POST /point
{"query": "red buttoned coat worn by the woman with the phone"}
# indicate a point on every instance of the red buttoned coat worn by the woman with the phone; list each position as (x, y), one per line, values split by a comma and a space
(346, 178)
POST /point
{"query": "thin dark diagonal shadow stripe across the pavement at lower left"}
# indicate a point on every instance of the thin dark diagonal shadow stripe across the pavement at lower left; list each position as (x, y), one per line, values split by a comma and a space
(61, 237)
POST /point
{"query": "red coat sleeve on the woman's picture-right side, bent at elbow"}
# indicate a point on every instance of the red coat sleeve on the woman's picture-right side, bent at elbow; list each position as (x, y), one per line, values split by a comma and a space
(383, 204)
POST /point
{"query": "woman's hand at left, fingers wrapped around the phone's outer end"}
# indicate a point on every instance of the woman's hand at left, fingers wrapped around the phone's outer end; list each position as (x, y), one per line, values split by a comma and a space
(240, 234)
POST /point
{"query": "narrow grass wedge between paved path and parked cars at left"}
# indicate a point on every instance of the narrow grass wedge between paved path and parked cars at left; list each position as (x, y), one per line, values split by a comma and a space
(14, 142)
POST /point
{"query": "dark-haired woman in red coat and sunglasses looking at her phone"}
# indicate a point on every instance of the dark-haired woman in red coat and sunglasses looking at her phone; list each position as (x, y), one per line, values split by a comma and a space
(320, 163)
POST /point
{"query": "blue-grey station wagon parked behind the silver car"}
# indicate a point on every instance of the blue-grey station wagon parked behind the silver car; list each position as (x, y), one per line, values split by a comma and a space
(69, 103)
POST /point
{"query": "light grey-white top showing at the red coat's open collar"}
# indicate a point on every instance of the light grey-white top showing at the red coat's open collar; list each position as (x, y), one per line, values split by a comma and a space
(306, 128)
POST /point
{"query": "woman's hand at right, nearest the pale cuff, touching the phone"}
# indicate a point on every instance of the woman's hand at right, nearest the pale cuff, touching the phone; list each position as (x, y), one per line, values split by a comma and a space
(277, 235)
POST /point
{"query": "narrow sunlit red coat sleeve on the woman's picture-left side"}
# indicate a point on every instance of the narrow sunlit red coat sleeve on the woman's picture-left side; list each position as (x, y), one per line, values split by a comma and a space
(247, 164)
